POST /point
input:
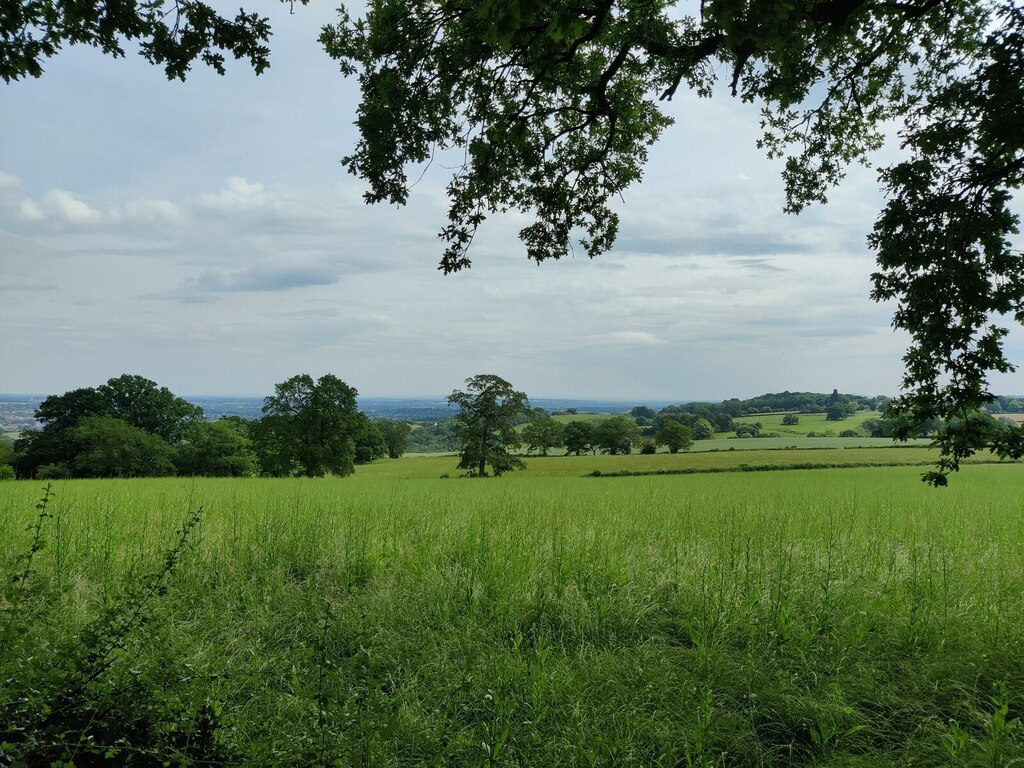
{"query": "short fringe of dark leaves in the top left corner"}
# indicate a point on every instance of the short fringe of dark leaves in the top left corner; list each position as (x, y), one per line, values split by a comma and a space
(175, 36)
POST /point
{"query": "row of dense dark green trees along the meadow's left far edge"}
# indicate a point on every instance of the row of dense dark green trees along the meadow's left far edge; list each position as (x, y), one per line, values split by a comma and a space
(133, 428)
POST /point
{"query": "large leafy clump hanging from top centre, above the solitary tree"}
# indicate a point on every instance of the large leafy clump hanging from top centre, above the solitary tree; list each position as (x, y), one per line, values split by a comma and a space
(553, 153)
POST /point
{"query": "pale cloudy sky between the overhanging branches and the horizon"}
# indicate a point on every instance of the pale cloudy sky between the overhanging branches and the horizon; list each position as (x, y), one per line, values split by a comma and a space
(204, 235)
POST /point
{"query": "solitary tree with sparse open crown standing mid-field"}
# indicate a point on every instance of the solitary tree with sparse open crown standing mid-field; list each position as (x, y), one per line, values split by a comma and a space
(489, 410)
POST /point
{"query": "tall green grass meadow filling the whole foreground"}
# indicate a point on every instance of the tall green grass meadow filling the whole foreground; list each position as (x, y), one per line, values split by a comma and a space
(834, 617)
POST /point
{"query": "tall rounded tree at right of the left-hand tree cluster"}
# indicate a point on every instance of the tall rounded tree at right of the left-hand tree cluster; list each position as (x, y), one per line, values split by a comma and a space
(310, 428)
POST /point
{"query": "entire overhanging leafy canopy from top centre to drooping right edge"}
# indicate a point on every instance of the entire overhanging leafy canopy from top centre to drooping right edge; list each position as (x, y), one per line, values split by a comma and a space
(554, 104)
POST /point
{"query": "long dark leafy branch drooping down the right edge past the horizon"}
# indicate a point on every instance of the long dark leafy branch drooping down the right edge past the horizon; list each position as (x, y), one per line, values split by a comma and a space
(945, 239)
